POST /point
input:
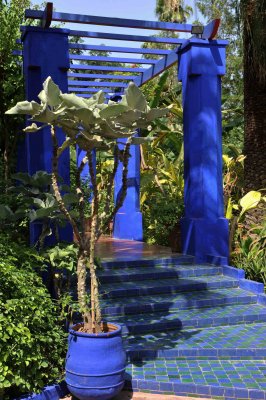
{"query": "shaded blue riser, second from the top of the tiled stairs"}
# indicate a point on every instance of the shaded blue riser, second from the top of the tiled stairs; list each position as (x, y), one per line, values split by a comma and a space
(159, 275)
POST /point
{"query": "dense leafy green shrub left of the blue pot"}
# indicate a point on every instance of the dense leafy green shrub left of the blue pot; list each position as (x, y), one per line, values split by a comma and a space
(32, 344)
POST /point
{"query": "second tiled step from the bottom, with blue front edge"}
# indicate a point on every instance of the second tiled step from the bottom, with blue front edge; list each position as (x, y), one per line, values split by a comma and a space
(227, 342)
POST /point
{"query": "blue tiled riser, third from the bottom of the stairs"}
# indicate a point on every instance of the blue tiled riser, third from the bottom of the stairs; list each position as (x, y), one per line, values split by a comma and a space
(192, 323)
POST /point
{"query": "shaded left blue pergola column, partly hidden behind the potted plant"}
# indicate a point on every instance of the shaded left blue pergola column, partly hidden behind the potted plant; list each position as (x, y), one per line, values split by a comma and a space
(45, 53)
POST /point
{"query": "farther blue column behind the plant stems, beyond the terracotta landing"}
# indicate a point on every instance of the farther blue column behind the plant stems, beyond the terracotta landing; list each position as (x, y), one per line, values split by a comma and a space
(128, 220)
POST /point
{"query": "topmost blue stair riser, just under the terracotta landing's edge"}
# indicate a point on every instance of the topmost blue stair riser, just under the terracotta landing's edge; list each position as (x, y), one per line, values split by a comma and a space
(147, 263)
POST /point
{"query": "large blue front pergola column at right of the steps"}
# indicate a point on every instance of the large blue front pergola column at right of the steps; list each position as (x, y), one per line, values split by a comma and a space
(204, 229)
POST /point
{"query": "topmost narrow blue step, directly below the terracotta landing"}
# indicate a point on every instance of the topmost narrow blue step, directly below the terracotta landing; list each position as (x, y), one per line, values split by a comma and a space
(147, 261)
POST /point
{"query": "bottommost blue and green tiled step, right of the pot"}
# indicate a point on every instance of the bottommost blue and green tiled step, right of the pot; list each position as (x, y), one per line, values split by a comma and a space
(238, 379)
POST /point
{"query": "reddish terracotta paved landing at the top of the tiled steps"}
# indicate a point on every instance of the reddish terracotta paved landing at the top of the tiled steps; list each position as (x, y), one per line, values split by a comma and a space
(108, 248)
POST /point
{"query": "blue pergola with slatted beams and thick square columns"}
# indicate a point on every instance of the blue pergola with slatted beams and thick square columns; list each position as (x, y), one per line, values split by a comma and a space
(201, 63)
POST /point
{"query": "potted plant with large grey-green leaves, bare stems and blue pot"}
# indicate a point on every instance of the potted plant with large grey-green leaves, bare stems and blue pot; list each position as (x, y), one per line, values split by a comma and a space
(95, 362)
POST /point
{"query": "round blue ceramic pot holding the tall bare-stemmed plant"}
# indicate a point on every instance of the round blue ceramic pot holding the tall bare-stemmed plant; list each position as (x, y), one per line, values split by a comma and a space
(95, 364)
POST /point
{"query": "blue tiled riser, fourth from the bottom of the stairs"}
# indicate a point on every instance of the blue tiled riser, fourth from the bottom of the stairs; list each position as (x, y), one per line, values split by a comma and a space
(179, 305)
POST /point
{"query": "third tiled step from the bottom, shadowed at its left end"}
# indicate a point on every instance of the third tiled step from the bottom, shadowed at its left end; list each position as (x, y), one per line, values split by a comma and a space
(190, 318)
